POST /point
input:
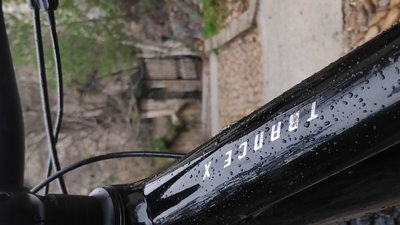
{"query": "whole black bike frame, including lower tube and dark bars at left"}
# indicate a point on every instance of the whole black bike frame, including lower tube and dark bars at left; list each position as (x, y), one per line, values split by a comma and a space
(316, 154)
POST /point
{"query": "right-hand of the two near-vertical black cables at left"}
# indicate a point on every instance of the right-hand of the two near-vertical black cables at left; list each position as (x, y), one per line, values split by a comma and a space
(60, 97)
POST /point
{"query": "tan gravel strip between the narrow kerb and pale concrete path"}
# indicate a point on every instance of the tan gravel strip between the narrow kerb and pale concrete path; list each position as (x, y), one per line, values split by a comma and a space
(240, 79)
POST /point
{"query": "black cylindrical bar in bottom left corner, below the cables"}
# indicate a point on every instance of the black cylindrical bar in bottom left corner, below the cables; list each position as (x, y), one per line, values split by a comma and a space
(22, 207)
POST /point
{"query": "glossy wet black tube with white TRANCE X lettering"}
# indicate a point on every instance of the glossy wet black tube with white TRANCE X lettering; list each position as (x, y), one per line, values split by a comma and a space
(344, 114)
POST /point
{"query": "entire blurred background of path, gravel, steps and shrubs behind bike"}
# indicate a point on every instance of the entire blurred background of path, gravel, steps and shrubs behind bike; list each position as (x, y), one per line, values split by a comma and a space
(166, 75)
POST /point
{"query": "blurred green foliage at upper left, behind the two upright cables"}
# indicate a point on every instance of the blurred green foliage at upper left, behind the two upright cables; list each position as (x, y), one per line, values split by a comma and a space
(93, 40)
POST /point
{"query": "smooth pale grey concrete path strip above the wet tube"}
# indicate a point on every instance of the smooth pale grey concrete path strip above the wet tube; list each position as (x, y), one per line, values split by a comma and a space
(299, 38)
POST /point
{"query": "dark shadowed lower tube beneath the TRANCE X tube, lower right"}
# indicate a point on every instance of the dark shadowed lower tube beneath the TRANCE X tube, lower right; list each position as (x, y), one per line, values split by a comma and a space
(371, 185)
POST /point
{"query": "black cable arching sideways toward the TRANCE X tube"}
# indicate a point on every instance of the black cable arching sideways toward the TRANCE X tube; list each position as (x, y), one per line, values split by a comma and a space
(101, 158)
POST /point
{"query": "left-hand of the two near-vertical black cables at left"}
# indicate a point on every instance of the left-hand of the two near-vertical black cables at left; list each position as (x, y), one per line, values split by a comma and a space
(45, 99)
